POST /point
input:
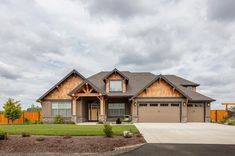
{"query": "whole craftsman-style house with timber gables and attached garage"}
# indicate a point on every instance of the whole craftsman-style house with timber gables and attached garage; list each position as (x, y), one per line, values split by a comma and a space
(140, 96)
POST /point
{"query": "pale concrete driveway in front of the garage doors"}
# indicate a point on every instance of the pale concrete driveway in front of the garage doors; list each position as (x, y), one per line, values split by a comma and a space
(195, 133)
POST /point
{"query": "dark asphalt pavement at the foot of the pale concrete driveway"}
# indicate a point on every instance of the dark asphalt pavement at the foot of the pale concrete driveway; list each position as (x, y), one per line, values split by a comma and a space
(182, 150)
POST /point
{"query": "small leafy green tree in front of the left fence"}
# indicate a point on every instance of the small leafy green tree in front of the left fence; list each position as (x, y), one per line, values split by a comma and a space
(12, 110)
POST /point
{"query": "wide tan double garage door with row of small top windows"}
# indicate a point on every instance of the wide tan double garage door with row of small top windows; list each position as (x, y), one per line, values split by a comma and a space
(159, 112)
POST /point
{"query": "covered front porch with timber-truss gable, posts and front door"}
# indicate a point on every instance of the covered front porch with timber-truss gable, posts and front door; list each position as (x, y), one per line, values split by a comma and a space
(90, 105)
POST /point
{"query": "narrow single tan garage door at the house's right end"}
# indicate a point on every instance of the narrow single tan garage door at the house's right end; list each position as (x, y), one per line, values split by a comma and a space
(196, 112)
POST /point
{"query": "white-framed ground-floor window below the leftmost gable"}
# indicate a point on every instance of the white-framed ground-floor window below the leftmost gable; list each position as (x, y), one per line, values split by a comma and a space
(61, 108)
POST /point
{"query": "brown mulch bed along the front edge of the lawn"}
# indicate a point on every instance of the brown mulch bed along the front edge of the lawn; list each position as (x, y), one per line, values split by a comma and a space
(60, 144)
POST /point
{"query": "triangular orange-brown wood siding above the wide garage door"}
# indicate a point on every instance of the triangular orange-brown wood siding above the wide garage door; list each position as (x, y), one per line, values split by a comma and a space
(160, 88)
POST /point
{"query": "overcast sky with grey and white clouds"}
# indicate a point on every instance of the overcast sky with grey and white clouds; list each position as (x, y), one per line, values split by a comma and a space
(43, 40)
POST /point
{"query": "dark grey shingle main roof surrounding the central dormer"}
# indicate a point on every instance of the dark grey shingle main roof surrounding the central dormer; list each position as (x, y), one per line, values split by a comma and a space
(139, 80)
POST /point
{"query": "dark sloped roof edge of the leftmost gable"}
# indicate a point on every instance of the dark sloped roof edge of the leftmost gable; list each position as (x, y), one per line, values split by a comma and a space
(75, 72)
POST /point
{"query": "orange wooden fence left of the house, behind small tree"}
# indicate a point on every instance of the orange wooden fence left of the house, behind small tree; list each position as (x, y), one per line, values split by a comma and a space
(32, 116)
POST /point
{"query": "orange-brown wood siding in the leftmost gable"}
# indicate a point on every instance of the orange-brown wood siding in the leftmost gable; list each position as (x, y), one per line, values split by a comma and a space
(63, 89)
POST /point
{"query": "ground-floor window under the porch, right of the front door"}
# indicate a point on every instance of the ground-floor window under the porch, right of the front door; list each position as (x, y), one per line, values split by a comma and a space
(116, 109)
